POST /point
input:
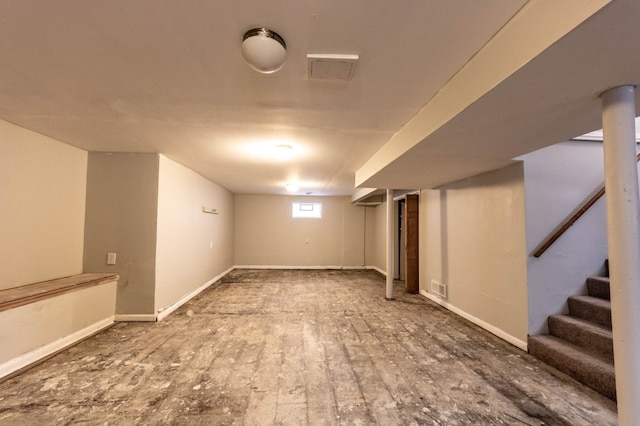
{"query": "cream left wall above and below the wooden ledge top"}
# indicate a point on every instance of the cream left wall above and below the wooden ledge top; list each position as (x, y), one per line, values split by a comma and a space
(43, 186)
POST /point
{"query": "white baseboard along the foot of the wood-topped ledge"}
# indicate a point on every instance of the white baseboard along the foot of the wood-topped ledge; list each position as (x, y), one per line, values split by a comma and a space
(36, 355)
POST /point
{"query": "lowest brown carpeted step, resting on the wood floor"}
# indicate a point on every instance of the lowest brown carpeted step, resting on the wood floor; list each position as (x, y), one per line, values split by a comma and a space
(590, 369)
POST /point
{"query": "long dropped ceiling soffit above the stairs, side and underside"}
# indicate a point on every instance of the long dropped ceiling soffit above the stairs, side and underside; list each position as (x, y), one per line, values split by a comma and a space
(538, 82)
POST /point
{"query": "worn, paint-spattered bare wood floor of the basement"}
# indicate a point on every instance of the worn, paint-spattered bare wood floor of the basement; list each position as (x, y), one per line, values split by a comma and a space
(296, 348)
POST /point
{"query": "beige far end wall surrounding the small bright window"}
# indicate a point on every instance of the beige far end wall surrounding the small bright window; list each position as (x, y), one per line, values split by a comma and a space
(267, 235)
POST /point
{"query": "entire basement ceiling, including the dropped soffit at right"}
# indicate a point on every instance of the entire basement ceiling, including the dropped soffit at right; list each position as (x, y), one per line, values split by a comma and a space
(441, 90)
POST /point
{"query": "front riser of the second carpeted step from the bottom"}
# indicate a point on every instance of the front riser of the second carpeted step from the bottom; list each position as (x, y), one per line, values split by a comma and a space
(593, 342)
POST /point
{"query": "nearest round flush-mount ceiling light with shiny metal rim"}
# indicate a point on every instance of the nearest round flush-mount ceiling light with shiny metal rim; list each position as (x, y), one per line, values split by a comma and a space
(264, 50)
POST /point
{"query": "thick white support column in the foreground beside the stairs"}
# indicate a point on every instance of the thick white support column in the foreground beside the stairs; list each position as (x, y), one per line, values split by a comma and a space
(623, 226)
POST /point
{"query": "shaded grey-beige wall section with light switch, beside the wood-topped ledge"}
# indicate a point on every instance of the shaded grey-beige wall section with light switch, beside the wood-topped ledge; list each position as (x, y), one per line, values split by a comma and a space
(122, 200)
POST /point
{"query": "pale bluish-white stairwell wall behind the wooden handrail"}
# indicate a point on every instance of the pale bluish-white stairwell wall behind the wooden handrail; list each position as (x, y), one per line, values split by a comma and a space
(558, 179)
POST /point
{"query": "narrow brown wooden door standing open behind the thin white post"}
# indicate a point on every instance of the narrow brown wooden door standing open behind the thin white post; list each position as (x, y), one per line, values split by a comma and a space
(411, 222)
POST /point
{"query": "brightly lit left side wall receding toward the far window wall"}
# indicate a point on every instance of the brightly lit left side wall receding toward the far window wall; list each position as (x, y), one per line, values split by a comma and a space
(192, 247)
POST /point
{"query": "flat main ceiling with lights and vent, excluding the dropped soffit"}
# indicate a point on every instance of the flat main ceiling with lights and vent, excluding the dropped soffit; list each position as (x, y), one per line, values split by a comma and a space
(167, 76)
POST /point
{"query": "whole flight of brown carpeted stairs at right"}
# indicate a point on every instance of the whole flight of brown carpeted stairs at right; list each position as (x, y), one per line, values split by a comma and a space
(580, 344)
